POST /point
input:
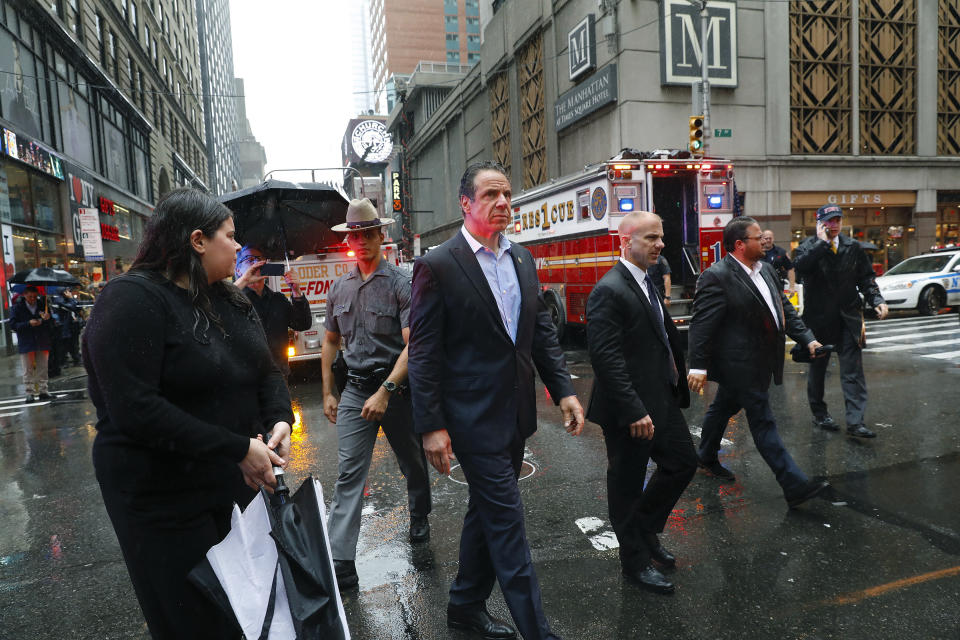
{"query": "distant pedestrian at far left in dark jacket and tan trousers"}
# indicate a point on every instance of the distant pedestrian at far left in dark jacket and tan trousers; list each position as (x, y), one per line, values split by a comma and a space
(31, 320)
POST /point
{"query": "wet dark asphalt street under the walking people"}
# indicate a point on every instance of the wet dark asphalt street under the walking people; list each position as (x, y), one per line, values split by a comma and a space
(878, 557)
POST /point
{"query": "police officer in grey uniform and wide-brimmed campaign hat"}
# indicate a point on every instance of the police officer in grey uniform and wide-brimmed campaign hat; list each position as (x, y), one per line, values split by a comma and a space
(369, 308)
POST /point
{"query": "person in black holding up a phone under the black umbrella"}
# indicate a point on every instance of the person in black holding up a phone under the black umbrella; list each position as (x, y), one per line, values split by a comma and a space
(275, 311)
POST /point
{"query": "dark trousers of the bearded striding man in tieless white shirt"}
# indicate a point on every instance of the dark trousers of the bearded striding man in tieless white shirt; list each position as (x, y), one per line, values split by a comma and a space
(763, 428)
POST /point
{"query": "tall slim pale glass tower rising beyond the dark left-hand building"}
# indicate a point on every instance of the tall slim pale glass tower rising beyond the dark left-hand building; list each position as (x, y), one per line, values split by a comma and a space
(220, 112)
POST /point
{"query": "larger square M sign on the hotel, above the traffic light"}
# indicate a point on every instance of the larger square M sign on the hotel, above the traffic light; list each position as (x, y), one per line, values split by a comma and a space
(680, 46)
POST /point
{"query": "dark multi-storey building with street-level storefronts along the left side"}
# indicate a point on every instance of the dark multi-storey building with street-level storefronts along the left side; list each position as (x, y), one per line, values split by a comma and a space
(99, 117)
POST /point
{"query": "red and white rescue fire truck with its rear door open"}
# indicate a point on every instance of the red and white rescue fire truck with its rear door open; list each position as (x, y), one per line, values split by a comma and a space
(570, 224)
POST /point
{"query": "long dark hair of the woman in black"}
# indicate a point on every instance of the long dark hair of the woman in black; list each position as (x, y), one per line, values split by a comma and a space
(166, 250)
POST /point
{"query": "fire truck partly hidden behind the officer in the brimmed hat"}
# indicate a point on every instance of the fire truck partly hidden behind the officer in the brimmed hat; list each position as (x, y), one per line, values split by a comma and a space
(316, 273)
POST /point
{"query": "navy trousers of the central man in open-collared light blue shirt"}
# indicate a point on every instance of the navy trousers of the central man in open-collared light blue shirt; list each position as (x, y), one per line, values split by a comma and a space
(493, 544)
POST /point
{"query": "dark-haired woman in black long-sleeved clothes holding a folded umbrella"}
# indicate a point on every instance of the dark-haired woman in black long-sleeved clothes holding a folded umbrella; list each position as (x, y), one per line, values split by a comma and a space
(184, 384)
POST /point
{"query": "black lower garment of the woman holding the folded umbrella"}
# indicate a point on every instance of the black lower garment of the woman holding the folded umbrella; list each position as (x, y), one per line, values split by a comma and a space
(160, 545)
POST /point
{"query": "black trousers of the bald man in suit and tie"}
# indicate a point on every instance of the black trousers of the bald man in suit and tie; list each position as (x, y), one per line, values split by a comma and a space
(636, 510)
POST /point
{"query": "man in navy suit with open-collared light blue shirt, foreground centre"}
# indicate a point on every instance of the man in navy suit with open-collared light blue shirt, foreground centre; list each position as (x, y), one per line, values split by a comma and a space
(478, 326)
